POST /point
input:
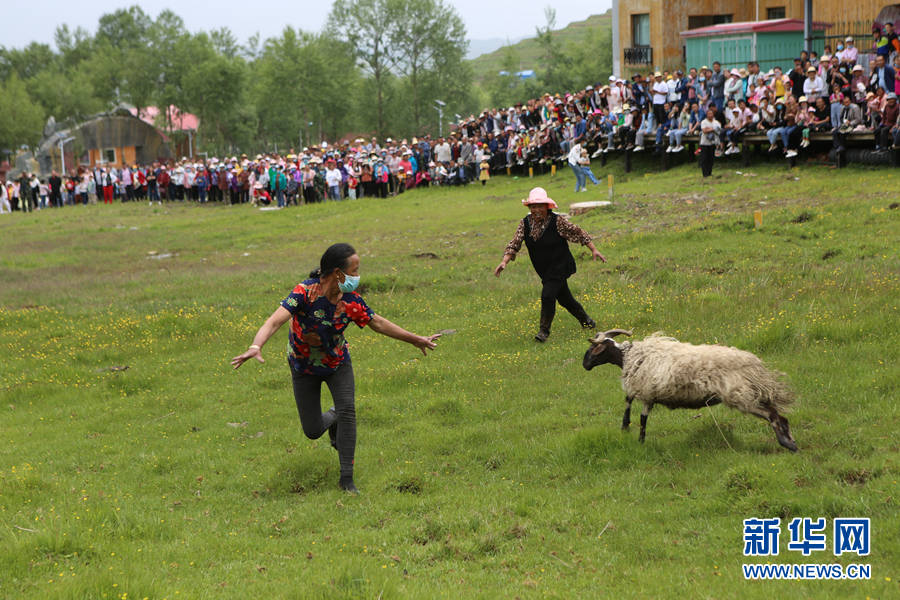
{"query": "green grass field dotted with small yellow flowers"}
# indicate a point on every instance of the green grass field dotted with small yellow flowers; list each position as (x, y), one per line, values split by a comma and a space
(495, 467)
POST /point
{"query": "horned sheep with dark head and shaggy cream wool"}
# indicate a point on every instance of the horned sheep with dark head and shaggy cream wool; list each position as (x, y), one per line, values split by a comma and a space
(662, 370)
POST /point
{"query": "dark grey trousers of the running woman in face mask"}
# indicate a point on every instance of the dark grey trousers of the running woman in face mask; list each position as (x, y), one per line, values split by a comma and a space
(307, 394)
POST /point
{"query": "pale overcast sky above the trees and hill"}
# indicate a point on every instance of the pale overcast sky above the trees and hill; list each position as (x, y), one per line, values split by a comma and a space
(26, 21)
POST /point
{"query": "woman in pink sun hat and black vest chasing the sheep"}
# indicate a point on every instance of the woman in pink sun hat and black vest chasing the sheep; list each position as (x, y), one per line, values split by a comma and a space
(546, 235)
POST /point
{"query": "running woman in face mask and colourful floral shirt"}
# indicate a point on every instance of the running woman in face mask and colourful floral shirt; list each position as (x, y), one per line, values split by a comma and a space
(320, 309)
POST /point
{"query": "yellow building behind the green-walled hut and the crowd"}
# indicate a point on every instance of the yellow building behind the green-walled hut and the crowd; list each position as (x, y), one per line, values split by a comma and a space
(646, 33)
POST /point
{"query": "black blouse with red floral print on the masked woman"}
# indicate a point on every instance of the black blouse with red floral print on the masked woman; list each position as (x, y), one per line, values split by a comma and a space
(313, 313)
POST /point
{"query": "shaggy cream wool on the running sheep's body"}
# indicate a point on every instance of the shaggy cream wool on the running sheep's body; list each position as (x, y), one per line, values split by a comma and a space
(679, 375)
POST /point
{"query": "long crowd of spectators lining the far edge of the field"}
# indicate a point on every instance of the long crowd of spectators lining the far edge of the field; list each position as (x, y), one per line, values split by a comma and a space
(837, 93)
